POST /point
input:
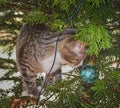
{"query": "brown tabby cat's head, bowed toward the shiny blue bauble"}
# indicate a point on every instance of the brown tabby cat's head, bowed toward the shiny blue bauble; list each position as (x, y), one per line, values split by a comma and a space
(73, 51)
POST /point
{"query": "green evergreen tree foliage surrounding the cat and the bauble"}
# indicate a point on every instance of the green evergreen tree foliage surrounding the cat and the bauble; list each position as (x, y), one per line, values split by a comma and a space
(98, 24)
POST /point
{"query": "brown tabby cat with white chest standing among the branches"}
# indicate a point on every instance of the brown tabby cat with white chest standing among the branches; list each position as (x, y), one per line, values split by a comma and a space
(35, 50)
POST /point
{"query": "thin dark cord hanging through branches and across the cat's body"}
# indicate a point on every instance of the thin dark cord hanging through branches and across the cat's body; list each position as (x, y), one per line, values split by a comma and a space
(57, 40)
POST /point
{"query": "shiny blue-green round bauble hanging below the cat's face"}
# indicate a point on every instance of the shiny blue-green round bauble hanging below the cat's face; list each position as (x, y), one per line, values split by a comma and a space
(89, 74)
